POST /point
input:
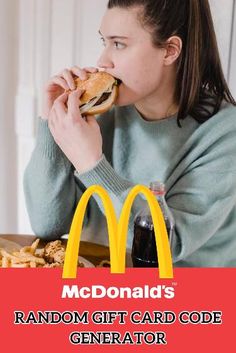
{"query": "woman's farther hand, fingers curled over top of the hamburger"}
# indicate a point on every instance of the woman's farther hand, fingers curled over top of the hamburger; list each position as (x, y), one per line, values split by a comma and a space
(60, 83)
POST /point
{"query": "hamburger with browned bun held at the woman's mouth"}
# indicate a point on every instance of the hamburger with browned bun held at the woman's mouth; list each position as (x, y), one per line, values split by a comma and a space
(101, 90)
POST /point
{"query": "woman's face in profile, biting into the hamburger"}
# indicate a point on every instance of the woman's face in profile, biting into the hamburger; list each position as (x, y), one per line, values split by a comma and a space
(130, 56)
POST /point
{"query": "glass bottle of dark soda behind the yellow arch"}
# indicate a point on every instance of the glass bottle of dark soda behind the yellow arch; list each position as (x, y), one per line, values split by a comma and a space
(144, 252)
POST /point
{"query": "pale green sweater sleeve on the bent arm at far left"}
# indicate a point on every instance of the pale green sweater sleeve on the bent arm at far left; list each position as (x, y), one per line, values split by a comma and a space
(50, 187)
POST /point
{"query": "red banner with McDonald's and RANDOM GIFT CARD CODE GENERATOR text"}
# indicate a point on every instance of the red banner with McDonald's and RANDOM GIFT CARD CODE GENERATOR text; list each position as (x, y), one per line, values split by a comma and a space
(103, 312)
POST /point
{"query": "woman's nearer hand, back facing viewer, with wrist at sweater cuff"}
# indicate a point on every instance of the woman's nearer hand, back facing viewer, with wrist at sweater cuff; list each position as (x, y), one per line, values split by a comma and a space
(80, 139)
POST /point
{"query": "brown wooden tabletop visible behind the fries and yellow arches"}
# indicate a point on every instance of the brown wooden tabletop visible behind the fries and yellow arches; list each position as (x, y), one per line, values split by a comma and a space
(95, 253)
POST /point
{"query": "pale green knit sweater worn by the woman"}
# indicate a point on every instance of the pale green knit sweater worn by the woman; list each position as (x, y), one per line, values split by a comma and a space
(197, 163)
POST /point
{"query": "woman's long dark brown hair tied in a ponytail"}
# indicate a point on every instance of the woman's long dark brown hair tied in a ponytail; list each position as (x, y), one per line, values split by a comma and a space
(200, 85)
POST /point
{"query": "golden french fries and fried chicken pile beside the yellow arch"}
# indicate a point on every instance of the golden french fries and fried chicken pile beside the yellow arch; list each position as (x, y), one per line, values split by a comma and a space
(32, 256)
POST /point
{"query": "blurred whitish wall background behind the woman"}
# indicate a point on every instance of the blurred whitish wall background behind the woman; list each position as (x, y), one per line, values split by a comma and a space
(39, 38)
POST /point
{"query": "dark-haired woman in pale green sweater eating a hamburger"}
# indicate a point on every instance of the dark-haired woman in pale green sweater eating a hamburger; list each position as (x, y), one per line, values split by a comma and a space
(174, 121)
